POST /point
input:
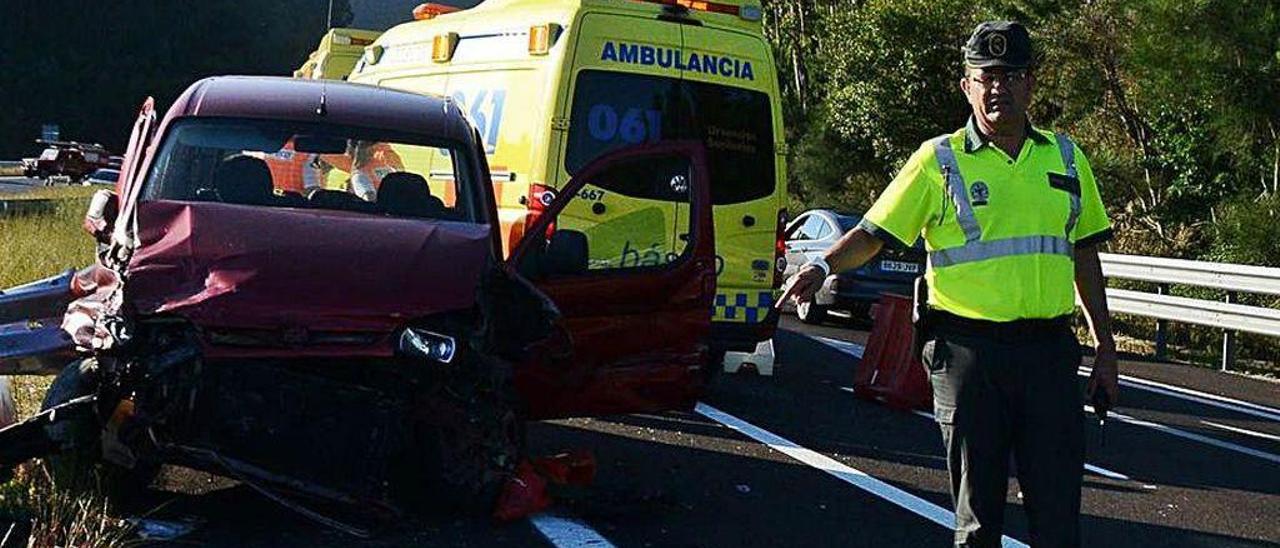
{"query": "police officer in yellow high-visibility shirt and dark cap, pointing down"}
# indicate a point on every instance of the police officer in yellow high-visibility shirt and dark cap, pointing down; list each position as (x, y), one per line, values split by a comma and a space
(1012, 220)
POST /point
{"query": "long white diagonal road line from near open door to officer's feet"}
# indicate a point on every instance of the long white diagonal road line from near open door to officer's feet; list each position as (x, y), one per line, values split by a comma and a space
(853, 477)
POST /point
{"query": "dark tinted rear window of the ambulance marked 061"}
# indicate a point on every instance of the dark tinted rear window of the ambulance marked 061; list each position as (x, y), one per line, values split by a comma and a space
(612, 111)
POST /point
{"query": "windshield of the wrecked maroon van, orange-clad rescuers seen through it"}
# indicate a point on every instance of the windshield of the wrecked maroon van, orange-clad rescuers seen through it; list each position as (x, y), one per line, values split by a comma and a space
(289, 165)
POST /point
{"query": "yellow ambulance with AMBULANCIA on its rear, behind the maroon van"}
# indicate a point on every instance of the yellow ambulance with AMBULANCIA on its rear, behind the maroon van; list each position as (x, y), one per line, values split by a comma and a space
(552, 85)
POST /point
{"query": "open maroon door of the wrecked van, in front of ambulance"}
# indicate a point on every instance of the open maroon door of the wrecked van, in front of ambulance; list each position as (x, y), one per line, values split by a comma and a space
(637, 316)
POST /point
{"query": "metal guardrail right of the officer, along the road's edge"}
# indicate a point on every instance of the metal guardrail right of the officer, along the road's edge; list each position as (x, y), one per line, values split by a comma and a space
(1228, 316)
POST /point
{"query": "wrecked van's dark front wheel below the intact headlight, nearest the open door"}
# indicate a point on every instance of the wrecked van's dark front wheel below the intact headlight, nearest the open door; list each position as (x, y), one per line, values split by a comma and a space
(468, 439)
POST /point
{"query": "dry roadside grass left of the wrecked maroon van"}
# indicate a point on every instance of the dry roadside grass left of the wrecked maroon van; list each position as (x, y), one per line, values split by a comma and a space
(38, 246)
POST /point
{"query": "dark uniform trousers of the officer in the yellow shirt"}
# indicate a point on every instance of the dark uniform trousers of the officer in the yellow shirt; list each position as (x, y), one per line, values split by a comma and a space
(1000, 389)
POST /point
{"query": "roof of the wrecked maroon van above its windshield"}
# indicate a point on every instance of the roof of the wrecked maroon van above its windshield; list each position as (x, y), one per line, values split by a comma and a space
(346, 104)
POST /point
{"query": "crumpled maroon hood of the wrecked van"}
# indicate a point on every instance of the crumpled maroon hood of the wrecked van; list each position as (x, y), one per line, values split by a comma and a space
(240, 267)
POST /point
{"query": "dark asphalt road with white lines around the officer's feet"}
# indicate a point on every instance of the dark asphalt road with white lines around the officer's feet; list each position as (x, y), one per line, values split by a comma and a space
(1178, 472)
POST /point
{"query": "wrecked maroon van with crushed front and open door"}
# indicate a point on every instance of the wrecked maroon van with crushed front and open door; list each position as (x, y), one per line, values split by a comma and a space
(300, 285)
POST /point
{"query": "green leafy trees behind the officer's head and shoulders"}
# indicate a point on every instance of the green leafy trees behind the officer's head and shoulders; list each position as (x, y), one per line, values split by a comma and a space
(1173, 101)
